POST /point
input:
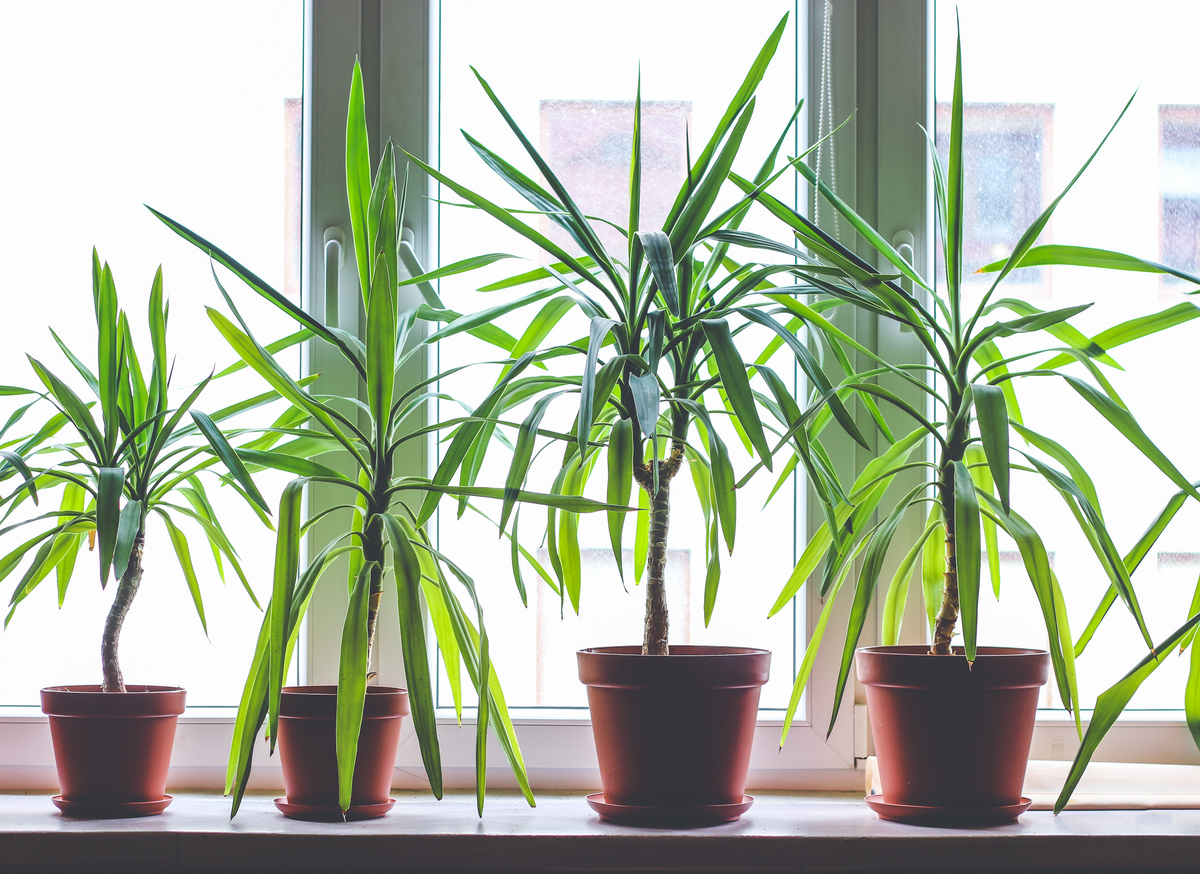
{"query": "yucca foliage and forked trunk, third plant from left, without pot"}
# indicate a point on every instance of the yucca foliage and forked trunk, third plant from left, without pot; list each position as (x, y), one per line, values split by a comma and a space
(661, 355)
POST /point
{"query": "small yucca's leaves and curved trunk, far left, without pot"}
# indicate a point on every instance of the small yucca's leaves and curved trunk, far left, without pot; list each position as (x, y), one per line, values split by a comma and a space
(127, 454)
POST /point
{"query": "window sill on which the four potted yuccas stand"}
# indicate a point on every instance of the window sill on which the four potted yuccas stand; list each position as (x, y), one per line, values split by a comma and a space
(781, 833)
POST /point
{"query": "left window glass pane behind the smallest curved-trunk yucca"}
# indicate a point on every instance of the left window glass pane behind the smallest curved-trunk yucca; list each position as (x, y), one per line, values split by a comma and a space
(194, 109)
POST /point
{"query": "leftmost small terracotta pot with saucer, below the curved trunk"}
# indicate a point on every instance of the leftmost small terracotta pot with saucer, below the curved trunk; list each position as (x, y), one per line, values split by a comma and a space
(113, 750)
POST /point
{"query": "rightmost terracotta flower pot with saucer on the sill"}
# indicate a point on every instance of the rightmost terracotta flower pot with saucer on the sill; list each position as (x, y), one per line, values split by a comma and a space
(952, 741)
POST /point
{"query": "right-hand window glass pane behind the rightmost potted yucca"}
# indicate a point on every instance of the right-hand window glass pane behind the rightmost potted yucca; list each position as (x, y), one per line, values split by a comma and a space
(1040, 100)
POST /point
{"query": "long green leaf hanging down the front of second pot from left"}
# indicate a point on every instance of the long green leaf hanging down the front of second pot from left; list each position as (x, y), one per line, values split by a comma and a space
(352, 684)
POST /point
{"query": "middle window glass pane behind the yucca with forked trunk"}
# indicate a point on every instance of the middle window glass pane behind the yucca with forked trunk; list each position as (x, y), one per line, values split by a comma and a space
(574, 98)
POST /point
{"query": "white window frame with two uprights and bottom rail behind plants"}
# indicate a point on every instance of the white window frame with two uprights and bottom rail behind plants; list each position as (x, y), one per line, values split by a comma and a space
(883, 73)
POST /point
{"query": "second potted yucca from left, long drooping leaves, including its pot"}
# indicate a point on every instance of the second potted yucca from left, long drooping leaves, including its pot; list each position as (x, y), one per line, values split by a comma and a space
(338, 745)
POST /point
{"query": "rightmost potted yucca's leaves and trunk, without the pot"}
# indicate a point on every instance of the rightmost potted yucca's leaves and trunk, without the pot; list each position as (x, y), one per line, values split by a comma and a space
(979, 432)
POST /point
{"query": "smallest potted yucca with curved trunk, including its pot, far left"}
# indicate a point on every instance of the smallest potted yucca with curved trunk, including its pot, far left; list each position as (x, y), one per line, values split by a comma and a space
(133, 456)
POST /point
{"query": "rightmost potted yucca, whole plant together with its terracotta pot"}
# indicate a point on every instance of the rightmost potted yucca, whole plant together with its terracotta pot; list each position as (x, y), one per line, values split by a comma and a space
(953, 726)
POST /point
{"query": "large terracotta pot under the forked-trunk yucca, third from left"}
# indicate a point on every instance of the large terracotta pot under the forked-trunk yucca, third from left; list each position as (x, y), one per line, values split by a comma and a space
(674, 733)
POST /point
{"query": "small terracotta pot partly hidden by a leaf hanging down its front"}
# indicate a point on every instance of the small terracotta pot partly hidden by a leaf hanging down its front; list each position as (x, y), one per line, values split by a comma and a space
(309, 756)
